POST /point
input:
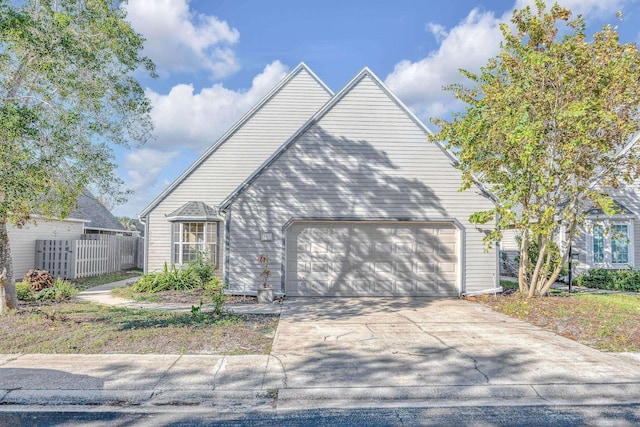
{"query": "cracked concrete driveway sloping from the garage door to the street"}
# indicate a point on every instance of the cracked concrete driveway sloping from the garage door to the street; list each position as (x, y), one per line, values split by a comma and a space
(420, 349)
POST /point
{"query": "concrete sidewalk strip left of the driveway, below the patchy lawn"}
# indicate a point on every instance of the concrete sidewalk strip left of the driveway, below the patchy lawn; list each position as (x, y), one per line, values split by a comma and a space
(232, 383)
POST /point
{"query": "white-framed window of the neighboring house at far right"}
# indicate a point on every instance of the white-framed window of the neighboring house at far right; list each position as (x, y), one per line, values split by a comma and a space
(610, 244)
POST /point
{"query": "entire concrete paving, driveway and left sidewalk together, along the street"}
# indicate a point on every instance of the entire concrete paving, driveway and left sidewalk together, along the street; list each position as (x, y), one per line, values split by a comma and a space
(344, 353)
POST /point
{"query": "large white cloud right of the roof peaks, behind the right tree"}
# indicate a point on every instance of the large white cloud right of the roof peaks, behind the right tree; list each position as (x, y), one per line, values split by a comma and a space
(468, 45)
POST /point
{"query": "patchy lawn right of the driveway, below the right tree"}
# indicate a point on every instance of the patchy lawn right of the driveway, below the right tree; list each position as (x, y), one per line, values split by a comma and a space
(608, 322)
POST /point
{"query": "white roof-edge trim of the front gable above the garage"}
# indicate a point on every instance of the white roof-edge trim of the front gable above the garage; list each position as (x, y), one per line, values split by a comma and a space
(365, 72)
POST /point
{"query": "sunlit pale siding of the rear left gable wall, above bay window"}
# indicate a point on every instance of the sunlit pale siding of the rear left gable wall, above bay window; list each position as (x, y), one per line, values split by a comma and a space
(236, 159)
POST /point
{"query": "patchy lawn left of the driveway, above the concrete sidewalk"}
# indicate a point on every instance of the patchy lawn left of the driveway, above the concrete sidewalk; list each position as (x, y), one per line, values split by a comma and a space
(80, 327)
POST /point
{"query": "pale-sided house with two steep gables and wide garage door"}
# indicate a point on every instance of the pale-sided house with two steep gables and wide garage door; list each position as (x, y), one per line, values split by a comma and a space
(342, 192)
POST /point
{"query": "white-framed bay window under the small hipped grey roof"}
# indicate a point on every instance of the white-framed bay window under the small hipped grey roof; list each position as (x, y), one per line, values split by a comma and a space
(191, 239)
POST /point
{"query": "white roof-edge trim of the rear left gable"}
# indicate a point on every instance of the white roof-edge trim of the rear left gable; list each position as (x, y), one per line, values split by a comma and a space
(301, 67)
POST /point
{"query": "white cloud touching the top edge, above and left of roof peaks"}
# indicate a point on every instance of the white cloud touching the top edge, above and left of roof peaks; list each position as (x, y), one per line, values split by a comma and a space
(179, 40)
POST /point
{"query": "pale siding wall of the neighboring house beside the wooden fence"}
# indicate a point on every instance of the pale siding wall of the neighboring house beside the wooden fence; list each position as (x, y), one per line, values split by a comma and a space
(23, 241)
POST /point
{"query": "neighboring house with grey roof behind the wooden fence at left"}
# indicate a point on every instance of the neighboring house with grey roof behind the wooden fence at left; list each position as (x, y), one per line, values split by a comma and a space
(89, 217)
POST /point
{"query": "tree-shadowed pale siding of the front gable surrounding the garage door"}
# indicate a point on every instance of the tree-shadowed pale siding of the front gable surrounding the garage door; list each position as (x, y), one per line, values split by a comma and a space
(364, 159)
